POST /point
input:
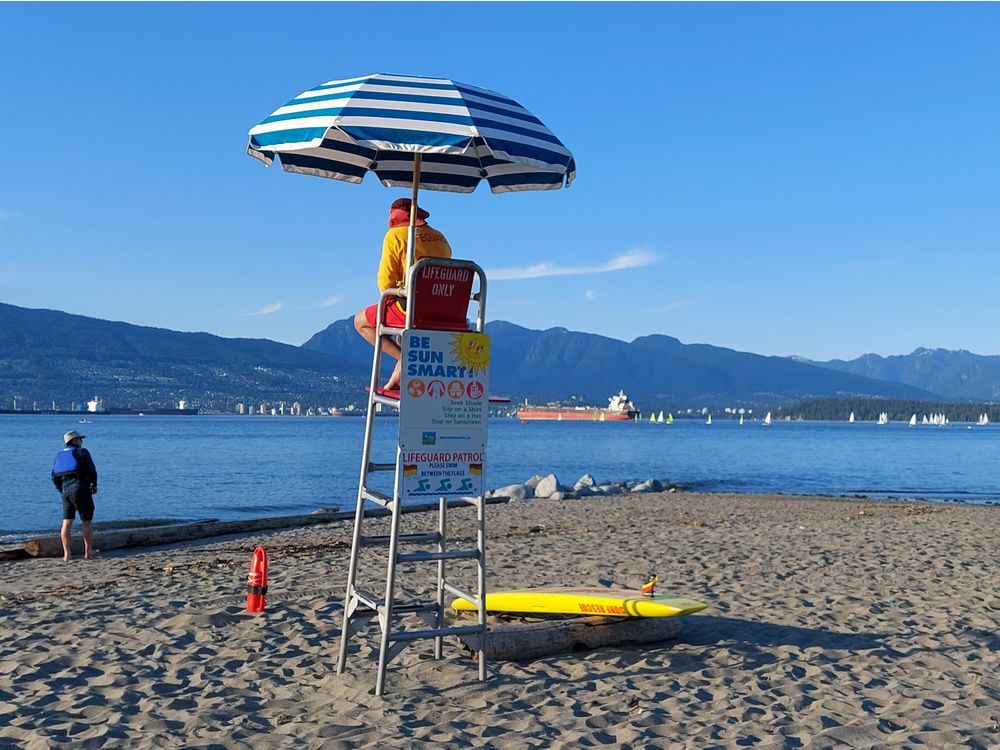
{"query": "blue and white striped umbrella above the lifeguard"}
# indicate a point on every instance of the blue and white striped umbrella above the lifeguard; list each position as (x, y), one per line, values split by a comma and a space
(378, 123)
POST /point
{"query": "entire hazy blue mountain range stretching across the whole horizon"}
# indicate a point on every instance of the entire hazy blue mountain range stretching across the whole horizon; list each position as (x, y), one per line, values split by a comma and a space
(47, 355)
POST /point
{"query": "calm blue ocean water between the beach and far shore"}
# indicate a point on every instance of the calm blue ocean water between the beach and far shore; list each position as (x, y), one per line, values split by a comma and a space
(239, 467)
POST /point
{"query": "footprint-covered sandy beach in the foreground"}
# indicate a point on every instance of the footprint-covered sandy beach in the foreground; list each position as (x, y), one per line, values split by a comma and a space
(832, 623)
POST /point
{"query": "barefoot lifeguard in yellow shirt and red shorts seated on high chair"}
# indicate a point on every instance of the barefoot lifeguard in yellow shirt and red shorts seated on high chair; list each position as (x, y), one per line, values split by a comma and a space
(430, 243)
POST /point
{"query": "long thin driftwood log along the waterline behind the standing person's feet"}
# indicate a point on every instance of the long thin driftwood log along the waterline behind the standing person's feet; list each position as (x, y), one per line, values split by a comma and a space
(153, 536)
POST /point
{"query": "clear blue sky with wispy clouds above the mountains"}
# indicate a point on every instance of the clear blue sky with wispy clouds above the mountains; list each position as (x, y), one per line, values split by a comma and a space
(821, 180)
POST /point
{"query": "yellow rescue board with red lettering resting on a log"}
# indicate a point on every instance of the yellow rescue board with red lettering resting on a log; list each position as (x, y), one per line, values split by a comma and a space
(584, 601)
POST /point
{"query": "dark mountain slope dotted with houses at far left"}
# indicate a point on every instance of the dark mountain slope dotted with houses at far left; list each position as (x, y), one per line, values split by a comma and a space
(50, 356)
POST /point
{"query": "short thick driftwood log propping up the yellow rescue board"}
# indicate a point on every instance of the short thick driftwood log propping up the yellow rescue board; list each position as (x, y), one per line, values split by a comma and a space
(521, 641)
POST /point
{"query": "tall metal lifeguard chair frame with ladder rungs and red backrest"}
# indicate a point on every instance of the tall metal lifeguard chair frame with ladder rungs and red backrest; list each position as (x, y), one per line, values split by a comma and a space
(427, 309)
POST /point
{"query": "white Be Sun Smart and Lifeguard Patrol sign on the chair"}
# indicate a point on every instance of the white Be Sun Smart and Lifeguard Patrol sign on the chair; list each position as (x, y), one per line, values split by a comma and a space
(443, 412)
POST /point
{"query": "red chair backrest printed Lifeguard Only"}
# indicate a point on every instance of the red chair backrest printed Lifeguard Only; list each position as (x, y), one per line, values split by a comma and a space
(440, 297)
